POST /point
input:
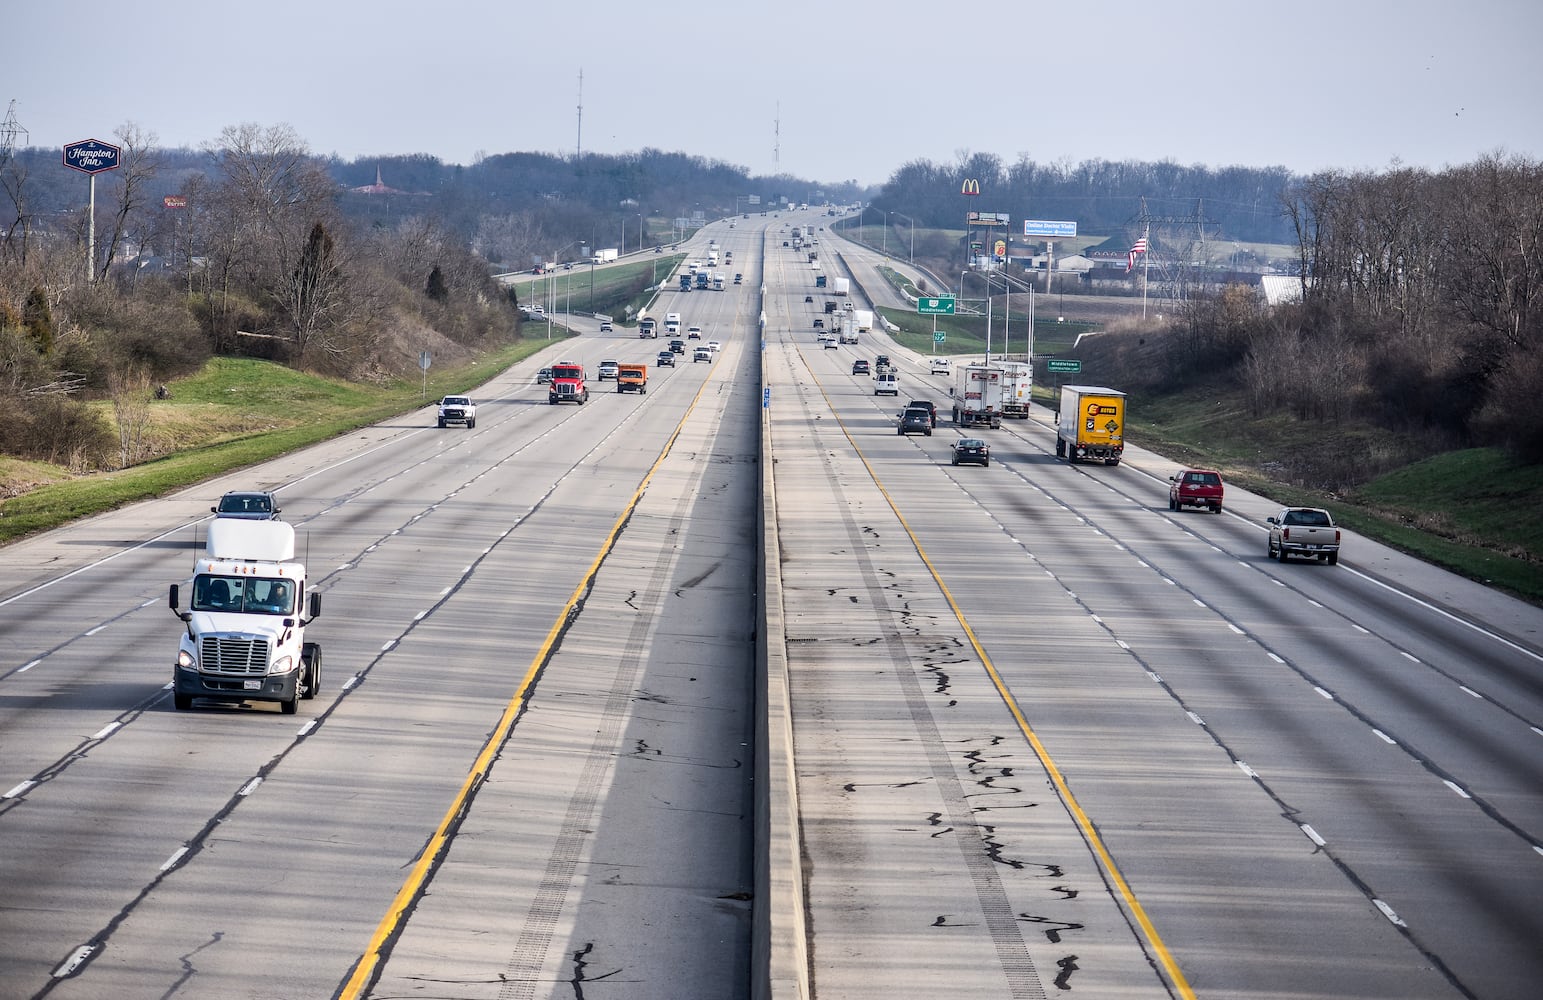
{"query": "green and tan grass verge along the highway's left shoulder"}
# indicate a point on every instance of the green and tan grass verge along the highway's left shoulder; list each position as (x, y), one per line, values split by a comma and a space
(232, 414)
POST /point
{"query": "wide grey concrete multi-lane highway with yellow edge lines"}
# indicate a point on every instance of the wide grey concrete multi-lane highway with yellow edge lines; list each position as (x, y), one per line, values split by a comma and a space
(1047, 735)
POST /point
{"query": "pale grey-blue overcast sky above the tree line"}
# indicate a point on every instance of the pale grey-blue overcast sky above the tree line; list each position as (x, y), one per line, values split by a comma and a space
(826, 90)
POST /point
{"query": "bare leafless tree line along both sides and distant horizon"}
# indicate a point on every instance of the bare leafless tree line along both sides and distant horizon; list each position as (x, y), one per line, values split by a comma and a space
(1417, 288)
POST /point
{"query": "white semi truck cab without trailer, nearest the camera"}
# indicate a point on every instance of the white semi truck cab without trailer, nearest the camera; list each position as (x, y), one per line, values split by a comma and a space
(245, 630)
